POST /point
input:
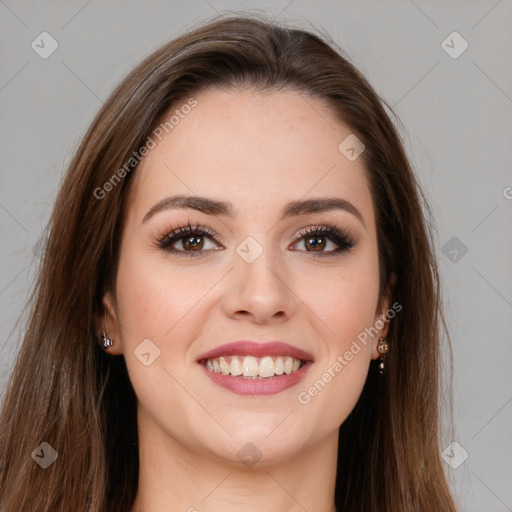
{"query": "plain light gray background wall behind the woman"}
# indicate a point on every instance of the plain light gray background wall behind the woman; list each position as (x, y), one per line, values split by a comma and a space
(457, 114)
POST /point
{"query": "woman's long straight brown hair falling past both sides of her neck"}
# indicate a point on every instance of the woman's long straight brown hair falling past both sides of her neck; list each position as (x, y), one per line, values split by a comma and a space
(65, 391)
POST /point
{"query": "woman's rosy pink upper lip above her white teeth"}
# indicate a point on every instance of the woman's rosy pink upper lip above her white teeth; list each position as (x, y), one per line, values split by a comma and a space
(257, 349)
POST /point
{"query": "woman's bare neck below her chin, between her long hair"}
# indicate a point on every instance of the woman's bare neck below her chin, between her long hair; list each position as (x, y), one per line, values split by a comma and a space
(177, 477)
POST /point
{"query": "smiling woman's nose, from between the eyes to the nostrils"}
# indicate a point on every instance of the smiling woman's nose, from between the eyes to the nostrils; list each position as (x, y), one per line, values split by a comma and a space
(259, 290)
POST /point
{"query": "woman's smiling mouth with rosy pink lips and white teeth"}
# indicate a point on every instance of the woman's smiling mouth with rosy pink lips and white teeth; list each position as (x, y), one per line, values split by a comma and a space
(249, 368)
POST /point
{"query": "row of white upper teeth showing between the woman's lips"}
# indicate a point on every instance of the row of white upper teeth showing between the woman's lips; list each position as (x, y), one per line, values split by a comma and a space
(252, 367)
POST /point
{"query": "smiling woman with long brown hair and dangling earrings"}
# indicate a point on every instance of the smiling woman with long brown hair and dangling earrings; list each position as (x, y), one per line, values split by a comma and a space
(241, 231)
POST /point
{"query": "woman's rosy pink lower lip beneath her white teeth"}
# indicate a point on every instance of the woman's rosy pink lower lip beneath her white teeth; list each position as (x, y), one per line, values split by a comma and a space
(266, 386)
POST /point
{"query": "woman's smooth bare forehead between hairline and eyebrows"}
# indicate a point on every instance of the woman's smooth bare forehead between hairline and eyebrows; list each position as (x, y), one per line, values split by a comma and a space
(255, 150)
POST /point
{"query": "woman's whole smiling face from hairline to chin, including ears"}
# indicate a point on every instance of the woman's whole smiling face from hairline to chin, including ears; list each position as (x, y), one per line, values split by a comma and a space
(262, 264)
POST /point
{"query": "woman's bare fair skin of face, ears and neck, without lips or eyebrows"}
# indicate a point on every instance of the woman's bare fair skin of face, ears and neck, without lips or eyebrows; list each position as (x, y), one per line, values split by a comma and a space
(258, 152)
